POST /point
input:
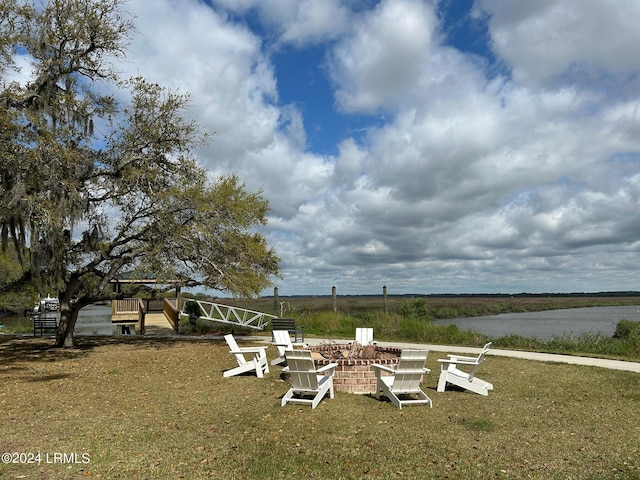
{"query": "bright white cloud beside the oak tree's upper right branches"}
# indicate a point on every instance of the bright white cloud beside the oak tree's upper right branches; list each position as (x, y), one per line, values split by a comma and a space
(187, 45)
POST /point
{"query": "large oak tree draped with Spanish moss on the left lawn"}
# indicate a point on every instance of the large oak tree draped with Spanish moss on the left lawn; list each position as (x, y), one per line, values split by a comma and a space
(91, 188)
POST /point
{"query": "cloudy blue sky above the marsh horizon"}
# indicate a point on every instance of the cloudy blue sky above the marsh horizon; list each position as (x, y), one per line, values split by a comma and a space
(451, 146)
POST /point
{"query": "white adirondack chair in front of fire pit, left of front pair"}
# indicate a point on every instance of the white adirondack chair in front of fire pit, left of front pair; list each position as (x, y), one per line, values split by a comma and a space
(308, 384)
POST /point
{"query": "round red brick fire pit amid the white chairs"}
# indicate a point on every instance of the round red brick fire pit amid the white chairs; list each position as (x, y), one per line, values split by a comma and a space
(354, 373)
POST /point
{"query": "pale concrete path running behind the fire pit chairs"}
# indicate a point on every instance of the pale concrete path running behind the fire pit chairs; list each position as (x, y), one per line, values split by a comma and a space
(542, 357)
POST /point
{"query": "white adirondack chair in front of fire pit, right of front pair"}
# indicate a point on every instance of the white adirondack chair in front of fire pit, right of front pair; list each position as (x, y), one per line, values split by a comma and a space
(402, 387)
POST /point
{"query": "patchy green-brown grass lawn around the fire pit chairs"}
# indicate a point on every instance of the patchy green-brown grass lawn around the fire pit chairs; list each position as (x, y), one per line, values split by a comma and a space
(152, 408)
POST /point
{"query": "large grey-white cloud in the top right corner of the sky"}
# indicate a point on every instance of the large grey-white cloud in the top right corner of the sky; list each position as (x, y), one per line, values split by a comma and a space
(547, 43)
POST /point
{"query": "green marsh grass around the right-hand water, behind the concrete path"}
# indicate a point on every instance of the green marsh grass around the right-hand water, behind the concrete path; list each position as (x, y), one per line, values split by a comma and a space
(409, 319)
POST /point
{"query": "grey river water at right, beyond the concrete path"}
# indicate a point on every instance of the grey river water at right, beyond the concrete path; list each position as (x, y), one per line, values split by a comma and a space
(545, 325)
